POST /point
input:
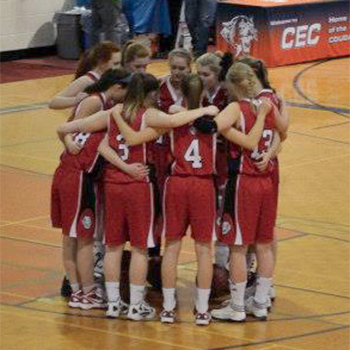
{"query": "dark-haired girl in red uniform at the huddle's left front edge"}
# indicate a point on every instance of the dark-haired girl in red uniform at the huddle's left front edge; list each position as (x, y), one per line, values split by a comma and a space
(73, 197)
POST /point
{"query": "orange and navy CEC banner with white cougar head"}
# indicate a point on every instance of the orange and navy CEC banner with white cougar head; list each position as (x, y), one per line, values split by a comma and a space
(280, 34)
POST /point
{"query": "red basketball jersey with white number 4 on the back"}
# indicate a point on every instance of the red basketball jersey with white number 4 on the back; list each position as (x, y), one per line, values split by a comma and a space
(194, 153)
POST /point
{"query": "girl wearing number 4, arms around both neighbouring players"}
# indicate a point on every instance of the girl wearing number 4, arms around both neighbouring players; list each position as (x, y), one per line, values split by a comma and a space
(190, 183)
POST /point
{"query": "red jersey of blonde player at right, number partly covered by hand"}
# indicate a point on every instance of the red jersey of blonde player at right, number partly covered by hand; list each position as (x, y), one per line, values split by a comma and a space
(247, 121)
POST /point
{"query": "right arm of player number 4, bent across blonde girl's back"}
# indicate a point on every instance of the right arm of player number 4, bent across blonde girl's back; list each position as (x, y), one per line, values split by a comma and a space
(250, 140)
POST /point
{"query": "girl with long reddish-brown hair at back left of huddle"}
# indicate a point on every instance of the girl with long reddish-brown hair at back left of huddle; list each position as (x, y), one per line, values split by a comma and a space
(94, 62)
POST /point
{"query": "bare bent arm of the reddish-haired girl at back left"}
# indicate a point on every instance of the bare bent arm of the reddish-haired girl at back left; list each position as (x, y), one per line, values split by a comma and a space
(71, 95)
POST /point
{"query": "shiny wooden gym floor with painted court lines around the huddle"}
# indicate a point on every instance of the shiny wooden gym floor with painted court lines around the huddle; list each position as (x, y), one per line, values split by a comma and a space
(311, 311)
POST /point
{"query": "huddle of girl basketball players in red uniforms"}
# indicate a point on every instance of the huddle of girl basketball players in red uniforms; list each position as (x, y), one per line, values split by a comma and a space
(138, 141)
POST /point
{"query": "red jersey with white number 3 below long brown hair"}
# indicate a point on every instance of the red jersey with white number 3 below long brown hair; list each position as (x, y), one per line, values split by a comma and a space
(129, 154)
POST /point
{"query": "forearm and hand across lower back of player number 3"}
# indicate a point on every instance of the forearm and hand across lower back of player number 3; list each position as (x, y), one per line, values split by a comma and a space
(135, 170)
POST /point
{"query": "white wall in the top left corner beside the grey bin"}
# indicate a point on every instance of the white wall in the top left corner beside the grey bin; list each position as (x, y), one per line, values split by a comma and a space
(28, 23)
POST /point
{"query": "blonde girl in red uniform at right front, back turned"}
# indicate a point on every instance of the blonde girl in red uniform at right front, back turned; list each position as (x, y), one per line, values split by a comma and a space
(250, 212)
